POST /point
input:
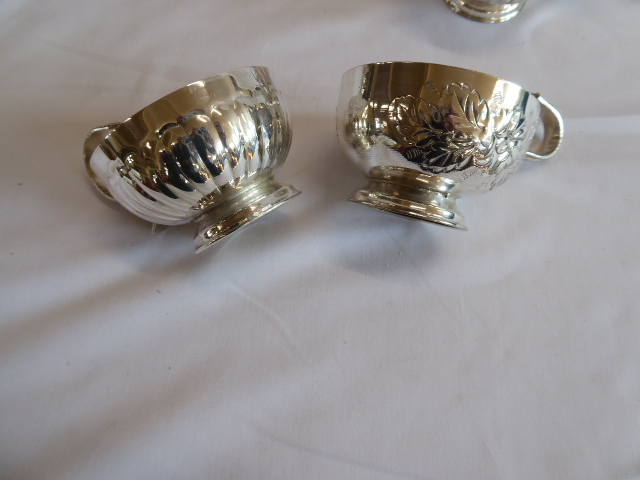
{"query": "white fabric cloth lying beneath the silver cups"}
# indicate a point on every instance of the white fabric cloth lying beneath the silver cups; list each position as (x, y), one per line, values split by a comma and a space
(327, 340)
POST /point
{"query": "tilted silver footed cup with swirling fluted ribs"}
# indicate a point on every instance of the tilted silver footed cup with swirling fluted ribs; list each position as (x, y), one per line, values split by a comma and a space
(205, 153)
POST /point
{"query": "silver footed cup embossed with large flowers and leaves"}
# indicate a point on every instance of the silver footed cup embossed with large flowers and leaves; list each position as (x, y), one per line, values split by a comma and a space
(427, 134)
